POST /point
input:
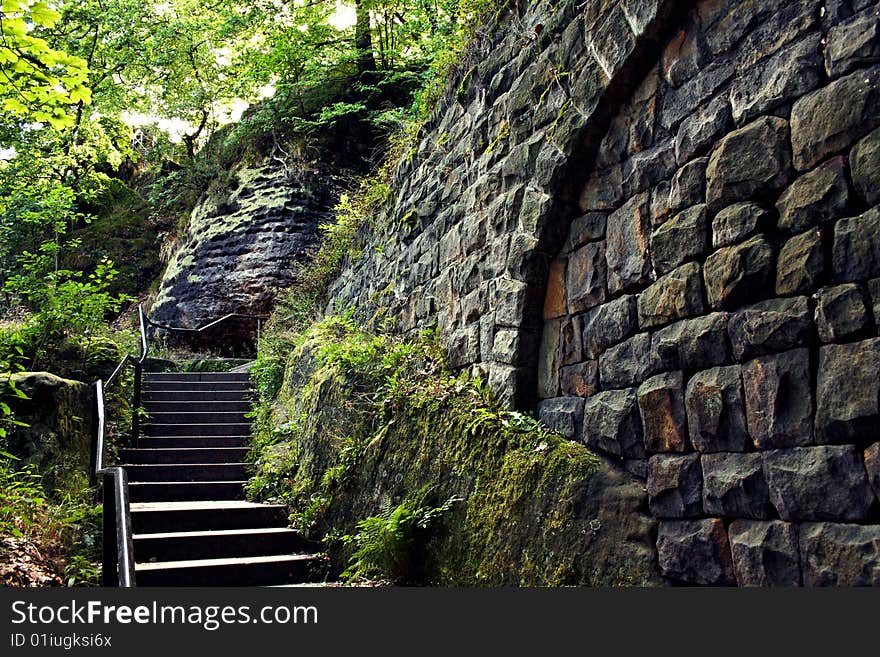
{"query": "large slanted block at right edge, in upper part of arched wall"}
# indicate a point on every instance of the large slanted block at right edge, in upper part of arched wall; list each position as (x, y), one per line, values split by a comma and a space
(830, 119)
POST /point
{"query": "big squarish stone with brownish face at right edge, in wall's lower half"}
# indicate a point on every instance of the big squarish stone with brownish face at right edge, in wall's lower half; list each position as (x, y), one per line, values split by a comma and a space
(848, 392)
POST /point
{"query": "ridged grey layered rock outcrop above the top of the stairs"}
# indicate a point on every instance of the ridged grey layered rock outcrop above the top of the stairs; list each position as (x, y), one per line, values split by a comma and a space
(241, 244)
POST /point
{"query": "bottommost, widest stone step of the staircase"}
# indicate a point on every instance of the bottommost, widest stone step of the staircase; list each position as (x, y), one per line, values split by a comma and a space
(241, 571)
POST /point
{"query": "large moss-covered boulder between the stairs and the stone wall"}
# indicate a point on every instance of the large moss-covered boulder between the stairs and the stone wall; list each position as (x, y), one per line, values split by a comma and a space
(363, 424)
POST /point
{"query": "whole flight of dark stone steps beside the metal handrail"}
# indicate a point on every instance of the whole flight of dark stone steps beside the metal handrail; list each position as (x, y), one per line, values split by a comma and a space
(191, 523)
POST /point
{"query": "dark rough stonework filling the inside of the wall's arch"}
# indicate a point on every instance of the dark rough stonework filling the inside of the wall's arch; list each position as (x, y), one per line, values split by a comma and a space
(711, 320)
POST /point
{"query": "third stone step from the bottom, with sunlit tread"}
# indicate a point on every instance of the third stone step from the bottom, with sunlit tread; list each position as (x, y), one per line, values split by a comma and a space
(156, 517)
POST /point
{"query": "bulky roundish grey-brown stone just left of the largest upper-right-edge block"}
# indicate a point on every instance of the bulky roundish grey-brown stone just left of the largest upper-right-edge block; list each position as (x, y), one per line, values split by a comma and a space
(749, 163)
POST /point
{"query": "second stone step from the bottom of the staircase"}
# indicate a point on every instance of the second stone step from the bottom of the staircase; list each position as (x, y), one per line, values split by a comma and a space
(180, 545)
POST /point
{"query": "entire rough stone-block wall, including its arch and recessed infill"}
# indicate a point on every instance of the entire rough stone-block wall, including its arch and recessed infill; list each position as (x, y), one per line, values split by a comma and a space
(661, 220)
